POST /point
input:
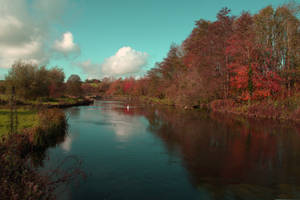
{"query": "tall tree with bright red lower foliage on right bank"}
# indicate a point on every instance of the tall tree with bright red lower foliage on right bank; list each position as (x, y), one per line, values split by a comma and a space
(251, 65)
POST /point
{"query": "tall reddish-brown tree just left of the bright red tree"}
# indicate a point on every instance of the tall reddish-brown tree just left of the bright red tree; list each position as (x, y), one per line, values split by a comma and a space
(205, 50)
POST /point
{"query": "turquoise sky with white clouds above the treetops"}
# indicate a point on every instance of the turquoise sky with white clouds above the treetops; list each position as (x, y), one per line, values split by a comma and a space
(124, 37)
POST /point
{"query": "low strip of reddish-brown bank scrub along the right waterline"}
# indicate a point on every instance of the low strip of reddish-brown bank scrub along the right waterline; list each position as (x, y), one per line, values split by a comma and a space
(285, 111)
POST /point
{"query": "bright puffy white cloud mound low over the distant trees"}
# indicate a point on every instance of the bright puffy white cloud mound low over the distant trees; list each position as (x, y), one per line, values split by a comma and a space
(125, 62)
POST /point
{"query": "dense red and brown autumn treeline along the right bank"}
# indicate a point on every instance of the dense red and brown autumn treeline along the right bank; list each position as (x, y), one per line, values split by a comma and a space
(244, 58)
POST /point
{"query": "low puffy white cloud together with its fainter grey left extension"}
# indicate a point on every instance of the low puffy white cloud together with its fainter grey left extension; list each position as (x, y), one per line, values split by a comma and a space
(126, 62)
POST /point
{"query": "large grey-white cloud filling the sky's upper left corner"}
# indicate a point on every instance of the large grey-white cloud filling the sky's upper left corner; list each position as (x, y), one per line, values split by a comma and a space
(25, 30)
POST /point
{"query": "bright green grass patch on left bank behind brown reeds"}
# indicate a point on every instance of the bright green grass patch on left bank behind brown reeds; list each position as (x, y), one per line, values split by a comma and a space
(26, 119)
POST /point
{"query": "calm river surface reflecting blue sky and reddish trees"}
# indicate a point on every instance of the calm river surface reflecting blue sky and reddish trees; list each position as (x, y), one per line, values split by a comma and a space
(163, 153)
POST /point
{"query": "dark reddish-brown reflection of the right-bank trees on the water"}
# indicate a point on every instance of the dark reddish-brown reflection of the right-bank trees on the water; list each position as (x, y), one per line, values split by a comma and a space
(230, 158)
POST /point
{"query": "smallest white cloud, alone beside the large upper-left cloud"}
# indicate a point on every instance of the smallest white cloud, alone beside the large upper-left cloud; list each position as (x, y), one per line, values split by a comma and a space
(66, 45)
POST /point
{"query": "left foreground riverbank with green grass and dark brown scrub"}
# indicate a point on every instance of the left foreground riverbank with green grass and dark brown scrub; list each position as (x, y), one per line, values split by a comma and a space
(18, 178)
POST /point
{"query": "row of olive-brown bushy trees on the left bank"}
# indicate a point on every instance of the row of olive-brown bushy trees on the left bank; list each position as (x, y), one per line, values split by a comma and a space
(33, 82)
